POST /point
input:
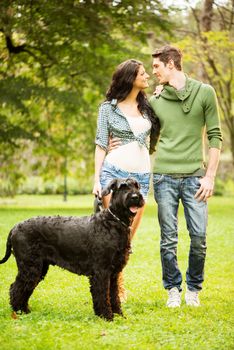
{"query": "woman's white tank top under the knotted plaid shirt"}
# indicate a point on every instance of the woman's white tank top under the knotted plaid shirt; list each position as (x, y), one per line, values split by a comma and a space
(132, 156)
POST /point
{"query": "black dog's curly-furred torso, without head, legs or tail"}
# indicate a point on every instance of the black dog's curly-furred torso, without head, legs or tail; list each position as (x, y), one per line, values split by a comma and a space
(77, 244)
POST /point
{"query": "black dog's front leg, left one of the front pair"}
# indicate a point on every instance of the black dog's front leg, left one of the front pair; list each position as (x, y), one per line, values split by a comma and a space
(99, 288)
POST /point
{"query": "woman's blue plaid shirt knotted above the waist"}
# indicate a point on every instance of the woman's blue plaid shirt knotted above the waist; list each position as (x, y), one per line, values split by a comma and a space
(112, 122)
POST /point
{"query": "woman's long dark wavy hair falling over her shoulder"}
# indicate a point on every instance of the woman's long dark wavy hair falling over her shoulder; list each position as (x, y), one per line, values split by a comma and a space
(121, 86)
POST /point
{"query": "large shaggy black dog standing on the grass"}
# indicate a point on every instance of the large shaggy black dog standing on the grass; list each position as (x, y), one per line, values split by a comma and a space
(96, 246)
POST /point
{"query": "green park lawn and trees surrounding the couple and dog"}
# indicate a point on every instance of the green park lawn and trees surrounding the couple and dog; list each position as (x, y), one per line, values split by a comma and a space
(56, 62)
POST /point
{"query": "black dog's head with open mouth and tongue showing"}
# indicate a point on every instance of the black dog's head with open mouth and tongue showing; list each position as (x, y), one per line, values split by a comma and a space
(126, 198)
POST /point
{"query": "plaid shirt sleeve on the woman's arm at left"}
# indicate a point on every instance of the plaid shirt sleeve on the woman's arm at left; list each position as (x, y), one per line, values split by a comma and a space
(102, 135)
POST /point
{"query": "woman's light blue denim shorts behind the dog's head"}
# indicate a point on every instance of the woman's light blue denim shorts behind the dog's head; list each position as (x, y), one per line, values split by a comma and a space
(110, 172)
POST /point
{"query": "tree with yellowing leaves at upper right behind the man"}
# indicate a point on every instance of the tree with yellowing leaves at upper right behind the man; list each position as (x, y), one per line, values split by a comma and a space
(209, 47)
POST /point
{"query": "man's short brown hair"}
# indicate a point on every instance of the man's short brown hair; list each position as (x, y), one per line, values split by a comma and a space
(167, 53)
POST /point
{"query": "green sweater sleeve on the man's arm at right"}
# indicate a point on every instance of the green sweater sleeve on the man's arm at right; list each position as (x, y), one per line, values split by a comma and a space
(212, 118)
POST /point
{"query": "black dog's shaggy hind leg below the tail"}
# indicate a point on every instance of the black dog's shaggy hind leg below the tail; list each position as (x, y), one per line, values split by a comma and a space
(28, 277)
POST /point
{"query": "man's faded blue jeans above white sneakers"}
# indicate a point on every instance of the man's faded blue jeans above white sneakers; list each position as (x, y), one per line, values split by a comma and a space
(168, 191)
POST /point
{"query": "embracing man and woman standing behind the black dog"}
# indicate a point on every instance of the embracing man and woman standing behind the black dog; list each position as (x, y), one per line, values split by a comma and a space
(184, 108)
